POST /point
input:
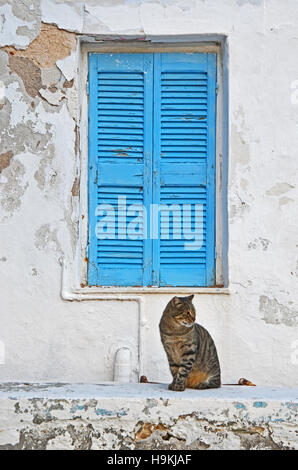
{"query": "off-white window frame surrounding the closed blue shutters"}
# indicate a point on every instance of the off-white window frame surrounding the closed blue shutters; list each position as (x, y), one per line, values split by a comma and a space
(79, 272)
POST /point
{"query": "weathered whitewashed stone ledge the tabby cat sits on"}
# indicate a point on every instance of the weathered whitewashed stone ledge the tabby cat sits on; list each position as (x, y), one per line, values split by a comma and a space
(146, 416)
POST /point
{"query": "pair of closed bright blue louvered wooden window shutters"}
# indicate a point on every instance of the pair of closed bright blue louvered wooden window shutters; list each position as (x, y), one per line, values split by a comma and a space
(151, 167)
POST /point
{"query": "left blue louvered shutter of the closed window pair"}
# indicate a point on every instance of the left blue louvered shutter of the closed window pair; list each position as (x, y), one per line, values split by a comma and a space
(120, 152)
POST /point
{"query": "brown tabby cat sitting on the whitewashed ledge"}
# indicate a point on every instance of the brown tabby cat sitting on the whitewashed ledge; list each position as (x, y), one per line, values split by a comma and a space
(189, 347)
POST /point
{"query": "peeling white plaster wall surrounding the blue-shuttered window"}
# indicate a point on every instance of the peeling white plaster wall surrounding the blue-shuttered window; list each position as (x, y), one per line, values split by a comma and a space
(256, 326)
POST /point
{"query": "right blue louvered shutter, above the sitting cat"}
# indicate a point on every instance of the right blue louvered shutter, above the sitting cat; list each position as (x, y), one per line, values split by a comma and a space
(184, 164)
